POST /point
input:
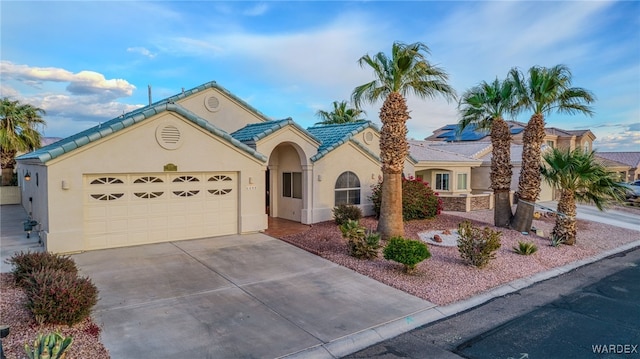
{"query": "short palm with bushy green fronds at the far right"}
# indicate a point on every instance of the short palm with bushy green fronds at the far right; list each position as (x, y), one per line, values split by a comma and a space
(579, 177)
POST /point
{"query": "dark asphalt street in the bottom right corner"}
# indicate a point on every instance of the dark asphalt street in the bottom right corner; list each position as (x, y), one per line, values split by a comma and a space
(590, 312)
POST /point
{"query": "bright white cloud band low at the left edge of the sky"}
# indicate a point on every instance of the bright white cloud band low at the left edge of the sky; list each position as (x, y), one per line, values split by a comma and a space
(80, 83)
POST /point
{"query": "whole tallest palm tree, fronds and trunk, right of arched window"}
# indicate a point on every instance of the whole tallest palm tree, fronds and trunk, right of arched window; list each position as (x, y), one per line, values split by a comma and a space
(407, 71)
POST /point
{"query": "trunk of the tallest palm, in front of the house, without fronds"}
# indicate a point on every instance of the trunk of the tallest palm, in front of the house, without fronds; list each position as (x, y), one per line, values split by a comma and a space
(393, 152)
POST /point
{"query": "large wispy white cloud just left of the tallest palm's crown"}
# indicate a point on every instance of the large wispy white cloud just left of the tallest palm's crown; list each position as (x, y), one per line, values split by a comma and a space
(324, 56)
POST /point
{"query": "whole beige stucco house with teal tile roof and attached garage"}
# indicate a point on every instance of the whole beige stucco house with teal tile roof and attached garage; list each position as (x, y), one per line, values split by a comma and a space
(199, 164)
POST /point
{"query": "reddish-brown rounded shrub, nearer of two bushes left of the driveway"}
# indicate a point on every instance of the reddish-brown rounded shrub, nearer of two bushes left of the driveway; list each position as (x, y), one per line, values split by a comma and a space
(60, 297)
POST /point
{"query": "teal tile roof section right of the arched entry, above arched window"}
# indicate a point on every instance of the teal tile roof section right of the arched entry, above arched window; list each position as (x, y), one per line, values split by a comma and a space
(332, 136)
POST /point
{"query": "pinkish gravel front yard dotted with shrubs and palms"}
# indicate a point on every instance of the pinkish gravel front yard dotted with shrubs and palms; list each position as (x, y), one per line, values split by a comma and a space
(444, 278)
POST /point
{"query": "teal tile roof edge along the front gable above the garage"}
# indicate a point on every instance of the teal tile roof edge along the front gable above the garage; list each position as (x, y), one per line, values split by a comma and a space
(80, 139)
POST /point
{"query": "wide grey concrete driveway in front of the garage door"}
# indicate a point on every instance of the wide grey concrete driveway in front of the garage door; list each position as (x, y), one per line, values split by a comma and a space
(241, 296)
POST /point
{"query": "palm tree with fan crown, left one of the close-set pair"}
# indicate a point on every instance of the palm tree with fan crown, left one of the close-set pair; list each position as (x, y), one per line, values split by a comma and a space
(484, 106)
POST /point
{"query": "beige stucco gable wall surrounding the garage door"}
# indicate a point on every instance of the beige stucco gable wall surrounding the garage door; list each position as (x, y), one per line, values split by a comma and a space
(136, 150)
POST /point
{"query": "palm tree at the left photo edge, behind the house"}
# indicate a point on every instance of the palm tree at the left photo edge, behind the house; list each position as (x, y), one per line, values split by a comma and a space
(18, 132)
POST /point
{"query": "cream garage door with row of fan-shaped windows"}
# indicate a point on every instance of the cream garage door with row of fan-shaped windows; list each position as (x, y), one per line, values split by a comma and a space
(132, 209)
